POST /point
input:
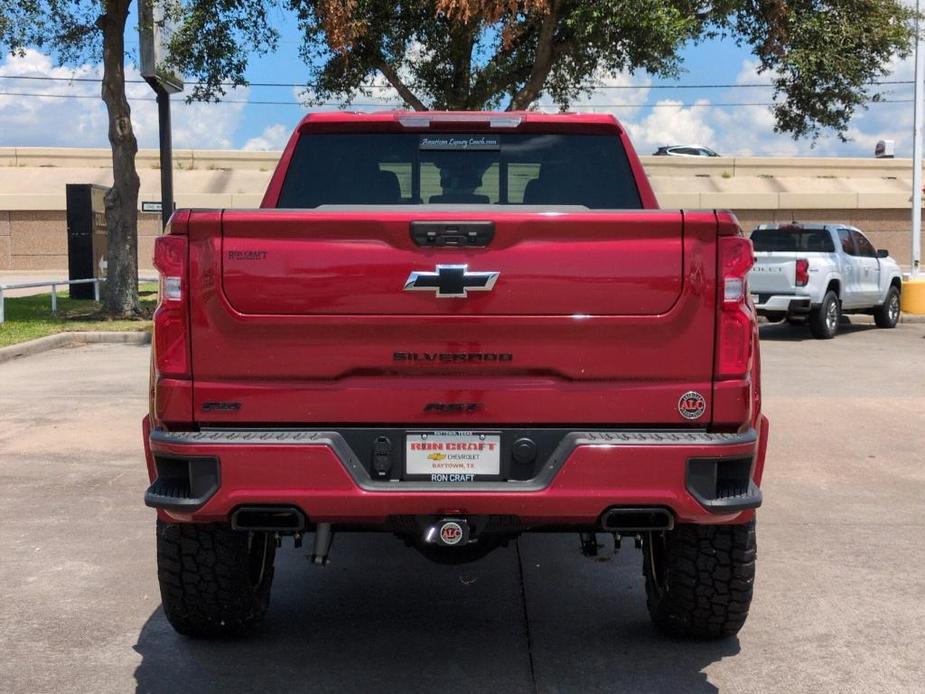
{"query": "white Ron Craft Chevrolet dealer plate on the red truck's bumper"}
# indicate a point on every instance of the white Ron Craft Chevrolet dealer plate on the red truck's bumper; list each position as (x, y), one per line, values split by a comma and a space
(453, 456)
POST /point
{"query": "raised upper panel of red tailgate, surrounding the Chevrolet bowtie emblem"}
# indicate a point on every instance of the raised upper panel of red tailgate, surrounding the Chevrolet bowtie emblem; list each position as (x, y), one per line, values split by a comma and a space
(312, 263)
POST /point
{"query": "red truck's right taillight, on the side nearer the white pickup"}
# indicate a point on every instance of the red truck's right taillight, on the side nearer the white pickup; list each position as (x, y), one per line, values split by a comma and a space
(735, 323)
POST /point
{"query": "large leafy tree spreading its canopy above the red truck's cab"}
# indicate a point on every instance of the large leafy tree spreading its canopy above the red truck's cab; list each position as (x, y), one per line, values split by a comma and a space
(820, 55)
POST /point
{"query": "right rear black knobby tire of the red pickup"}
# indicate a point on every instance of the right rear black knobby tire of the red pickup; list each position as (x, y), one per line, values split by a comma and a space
(699, 579)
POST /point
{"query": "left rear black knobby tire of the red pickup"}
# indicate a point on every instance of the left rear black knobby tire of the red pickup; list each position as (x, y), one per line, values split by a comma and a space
(214, 581)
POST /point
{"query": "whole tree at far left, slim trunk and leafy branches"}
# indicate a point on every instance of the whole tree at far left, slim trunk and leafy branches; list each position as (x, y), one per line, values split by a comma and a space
(79, 31)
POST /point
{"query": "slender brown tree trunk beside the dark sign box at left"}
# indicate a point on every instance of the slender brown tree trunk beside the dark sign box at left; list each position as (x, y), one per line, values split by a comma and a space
(121, 294)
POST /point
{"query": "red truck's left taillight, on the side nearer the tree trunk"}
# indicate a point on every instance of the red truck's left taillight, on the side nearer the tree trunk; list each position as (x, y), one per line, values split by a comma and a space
(171, 344)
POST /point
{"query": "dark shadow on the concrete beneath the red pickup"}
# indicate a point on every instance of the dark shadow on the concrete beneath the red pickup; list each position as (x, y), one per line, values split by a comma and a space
(383, 619)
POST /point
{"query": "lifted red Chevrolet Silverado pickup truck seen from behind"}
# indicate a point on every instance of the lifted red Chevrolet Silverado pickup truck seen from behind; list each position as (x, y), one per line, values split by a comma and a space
(455, 328)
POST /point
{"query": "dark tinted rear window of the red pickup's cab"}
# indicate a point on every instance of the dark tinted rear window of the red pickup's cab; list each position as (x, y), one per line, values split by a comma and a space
(459, 169)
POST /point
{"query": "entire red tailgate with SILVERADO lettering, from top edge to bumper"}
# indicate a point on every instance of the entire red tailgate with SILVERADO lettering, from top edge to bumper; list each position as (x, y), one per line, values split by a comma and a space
(301, 317)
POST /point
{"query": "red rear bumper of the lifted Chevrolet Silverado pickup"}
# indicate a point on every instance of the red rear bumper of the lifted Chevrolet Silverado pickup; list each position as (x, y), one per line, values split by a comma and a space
(697, 476)
